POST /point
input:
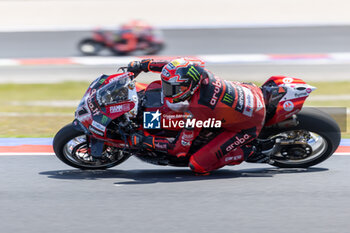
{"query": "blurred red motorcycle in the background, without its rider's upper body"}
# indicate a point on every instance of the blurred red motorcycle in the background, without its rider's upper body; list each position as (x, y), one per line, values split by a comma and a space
(121, 43)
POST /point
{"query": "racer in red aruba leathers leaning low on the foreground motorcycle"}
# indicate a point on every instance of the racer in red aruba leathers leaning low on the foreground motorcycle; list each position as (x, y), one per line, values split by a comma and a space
(188, 87)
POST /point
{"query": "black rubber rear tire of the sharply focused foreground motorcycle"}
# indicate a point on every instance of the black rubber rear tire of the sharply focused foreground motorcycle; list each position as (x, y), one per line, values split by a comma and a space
(313, 121)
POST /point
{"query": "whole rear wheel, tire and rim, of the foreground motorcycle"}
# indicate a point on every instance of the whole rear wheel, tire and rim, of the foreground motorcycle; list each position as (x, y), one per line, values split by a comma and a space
(312, 141)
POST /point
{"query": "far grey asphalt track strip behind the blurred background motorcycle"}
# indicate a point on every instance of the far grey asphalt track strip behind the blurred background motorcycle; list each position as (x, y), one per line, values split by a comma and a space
(191, 42)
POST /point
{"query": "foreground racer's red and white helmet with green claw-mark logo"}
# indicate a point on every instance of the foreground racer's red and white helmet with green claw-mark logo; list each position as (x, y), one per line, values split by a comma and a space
(181, 79)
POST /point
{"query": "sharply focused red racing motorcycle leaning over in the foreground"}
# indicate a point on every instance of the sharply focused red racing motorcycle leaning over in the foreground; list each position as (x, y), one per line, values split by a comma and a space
(114, 107)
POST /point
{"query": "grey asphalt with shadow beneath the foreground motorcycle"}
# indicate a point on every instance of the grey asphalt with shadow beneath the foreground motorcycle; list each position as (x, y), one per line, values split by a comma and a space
(40, 194)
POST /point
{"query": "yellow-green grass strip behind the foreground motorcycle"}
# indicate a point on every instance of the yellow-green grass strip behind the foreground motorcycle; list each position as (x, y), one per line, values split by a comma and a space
(41, 121)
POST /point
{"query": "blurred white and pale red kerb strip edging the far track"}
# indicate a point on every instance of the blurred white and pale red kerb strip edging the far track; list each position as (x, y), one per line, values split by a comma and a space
(276, 59)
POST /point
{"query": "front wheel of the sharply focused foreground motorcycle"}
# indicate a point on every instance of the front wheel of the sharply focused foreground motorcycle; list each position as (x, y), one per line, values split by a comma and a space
(72, 146)
